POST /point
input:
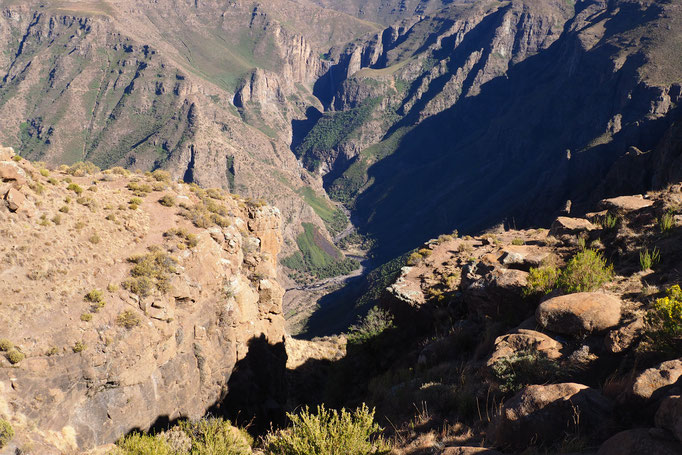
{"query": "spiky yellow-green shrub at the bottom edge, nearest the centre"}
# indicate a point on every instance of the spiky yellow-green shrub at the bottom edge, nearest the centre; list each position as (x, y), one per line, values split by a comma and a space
(328, 432)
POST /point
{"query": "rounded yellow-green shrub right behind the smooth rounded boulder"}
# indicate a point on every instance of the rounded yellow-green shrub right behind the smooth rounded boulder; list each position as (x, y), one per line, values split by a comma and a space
(586, 271)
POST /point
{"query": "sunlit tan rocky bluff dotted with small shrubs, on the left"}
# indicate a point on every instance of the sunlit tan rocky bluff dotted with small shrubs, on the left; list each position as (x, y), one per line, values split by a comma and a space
(126, 312)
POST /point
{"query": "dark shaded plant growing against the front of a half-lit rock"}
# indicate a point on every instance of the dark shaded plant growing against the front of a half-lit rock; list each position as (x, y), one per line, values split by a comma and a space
(523, 368)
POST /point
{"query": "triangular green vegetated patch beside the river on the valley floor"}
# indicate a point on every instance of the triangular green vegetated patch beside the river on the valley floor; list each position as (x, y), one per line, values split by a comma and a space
(317, 256)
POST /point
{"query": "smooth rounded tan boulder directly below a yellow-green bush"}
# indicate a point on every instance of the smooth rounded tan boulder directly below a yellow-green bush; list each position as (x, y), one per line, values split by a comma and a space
(581, 313)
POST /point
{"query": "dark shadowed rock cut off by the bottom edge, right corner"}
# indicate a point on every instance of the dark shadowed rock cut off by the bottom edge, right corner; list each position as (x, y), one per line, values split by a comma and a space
(638, 442)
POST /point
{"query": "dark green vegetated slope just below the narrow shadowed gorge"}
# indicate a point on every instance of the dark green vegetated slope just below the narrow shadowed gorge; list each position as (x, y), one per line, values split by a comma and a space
(331, 130)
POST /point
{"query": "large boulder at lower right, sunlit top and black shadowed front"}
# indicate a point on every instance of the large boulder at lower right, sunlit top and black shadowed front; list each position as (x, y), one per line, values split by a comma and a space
(545, 413)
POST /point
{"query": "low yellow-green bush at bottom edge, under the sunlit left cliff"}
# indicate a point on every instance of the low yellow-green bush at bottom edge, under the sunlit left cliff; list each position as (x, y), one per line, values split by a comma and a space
(205, 437)
